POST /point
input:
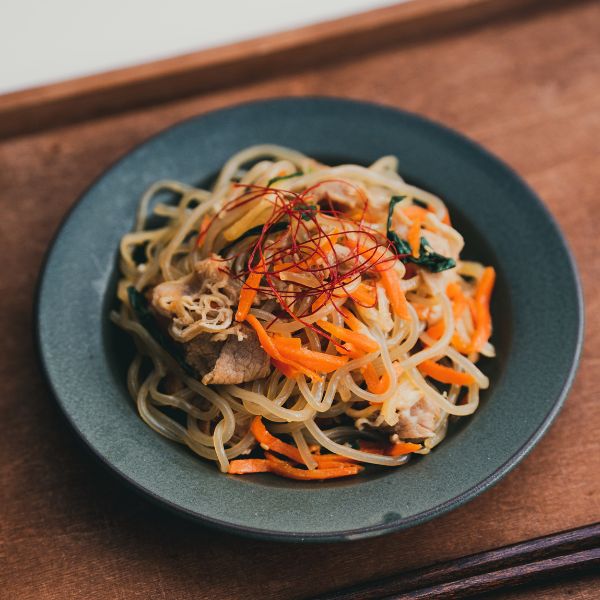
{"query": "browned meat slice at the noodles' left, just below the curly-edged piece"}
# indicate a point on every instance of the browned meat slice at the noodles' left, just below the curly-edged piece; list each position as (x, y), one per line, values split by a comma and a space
(230, 362)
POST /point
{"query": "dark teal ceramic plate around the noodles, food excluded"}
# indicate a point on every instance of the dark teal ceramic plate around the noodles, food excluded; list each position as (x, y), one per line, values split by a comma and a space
(537, 311)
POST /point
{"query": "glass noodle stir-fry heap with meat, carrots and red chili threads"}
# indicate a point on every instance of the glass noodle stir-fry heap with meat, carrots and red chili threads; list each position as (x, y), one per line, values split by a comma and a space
(301, 319)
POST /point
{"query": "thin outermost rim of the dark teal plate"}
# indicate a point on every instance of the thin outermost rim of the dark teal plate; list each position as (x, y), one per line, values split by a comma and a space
(367, 531)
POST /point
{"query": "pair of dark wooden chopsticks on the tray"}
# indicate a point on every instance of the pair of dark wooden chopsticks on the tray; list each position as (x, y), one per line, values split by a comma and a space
(548, 556)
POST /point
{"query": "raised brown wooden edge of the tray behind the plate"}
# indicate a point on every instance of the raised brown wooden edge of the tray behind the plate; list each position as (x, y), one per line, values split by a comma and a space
(166, 80)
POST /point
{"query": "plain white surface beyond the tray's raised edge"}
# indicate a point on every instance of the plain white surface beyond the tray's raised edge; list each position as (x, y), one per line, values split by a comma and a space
(43, 41)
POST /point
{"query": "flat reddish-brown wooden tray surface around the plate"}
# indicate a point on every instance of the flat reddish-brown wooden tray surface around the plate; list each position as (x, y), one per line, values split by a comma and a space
(529, 89)
